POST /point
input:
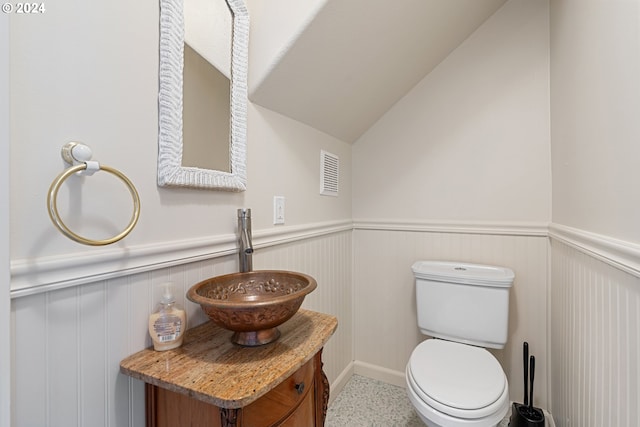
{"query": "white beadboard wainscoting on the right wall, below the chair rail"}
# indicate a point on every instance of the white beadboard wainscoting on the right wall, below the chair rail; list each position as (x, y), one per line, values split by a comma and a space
(595, 341)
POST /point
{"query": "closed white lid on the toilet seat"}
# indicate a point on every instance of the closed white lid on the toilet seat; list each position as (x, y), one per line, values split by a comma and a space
(457, 375)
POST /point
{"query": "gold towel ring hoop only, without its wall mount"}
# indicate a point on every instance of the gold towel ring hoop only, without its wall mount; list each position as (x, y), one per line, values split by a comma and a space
(57, 221)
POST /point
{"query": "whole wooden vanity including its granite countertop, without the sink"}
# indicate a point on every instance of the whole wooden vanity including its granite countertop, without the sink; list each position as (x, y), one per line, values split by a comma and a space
(211, 382)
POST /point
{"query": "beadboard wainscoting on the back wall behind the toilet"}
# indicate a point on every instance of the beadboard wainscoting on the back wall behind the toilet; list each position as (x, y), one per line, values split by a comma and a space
(386, 330)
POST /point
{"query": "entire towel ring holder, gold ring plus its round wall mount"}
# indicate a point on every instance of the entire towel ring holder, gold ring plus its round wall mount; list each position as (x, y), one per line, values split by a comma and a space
(74, 152)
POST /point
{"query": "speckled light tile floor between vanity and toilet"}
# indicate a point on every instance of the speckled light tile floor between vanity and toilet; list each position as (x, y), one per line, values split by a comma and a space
(364, 402)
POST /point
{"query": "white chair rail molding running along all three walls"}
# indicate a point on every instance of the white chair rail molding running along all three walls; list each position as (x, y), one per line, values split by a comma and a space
(32, 276)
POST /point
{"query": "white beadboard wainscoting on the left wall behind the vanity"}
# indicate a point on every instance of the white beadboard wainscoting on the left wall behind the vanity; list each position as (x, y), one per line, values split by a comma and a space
(68, 342)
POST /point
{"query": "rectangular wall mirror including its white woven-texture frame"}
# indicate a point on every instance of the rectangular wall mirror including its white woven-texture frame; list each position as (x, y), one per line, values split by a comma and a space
(203, 94)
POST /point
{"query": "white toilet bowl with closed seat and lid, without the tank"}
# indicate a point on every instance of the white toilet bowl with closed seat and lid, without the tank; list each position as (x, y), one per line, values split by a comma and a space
(452, 384)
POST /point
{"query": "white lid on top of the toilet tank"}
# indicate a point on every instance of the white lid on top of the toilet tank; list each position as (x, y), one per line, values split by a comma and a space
(463, 273)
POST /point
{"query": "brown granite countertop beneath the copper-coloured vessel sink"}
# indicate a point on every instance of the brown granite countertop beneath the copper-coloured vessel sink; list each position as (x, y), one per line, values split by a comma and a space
(210, 368)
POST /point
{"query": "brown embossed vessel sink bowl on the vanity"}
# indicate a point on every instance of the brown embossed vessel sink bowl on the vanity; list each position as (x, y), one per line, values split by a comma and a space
(254, 303)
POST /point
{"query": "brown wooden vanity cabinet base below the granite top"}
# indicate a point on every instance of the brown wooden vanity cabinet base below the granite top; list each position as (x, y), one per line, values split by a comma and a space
(299, 401)
